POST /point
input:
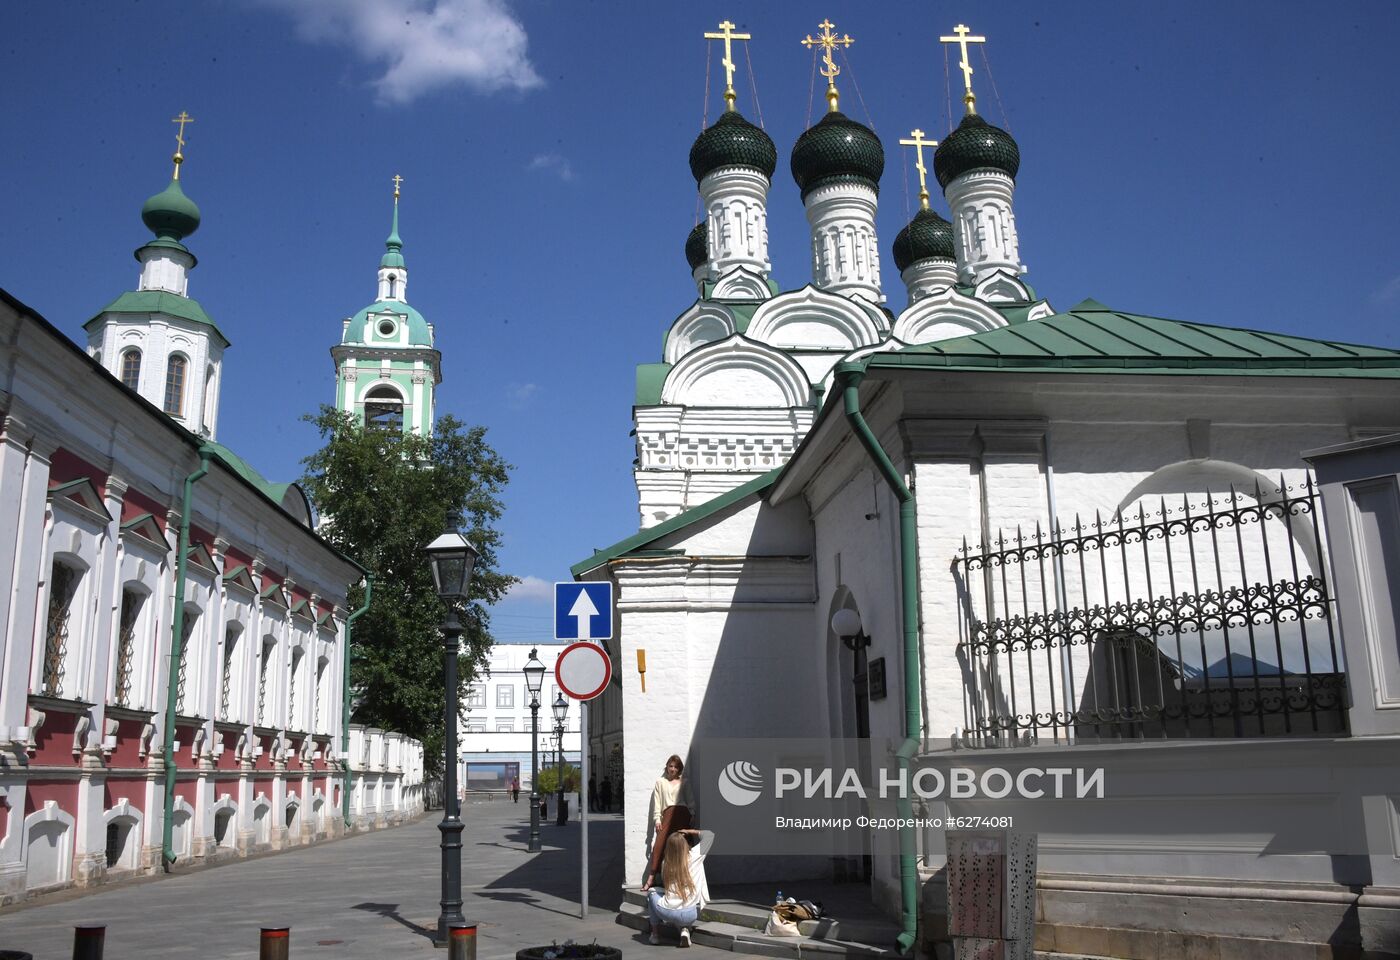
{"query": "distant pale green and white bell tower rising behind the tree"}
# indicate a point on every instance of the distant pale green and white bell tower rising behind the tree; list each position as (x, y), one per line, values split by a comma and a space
(387, 367)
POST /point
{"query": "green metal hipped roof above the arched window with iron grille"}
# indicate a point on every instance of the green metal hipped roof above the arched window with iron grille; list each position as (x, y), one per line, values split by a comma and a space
(1094, 339)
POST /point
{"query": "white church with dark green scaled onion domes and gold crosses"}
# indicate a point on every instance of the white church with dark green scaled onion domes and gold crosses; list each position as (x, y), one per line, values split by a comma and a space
(1059, 527)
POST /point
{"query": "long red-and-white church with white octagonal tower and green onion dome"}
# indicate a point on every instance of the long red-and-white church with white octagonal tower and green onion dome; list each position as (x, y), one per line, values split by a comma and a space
(173, 632)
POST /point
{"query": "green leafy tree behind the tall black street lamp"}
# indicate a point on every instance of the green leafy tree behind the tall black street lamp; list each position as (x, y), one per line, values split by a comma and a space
(384, 496)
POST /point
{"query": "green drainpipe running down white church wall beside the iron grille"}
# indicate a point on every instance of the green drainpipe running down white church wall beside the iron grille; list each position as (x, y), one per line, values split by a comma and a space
(850, 376)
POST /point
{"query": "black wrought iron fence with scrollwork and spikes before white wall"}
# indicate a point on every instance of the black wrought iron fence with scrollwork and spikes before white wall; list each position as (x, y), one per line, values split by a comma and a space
(1200, 619)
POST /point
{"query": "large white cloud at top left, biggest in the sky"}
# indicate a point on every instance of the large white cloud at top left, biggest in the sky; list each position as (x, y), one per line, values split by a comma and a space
(423, 45)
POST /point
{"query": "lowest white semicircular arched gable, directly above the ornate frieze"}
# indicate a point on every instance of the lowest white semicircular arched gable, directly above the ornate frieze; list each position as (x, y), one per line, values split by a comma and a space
(737, 373)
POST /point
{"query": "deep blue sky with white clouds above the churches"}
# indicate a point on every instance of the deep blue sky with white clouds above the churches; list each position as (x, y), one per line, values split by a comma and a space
(1200, 162)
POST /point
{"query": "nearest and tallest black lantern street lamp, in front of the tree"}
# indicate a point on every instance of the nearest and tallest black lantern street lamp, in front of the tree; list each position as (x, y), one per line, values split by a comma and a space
(453, 560)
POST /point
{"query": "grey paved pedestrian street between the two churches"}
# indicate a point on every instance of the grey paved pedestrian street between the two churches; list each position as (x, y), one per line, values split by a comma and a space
(367, 896)
